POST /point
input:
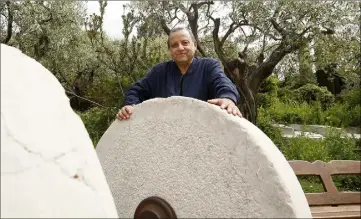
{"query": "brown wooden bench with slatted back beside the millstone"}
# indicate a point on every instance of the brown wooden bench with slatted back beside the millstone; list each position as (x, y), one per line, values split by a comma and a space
(331, 203)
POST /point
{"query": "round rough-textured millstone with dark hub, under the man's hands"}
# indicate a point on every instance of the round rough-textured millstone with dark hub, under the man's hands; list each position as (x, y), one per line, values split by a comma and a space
(202, 161)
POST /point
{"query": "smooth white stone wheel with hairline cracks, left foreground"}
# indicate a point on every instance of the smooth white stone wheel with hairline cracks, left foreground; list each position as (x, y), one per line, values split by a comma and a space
(49, 168)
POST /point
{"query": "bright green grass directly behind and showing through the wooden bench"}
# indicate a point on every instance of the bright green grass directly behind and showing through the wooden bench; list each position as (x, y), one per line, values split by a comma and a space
(334, 146)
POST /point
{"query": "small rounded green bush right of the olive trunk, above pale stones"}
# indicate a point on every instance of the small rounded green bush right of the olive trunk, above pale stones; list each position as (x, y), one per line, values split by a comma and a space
(312, 93)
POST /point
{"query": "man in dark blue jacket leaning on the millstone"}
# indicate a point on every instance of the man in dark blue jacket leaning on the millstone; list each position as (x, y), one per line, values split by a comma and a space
(186, 75)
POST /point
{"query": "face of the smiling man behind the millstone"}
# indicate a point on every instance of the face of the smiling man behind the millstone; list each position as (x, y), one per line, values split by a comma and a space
(182, 48)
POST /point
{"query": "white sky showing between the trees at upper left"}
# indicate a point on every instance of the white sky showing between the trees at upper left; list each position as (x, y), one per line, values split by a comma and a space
(113, 24)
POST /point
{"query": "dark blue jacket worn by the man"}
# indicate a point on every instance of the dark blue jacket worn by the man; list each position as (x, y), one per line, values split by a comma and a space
(204, 80)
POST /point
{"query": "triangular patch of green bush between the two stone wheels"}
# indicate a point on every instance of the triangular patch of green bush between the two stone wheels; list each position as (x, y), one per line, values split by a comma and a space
(97, 121)
